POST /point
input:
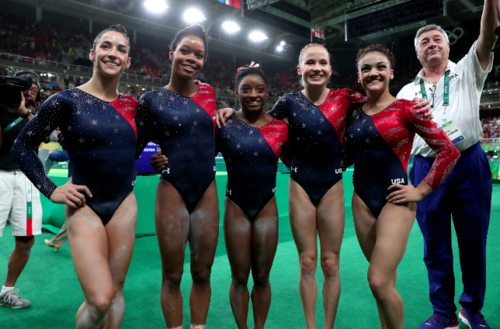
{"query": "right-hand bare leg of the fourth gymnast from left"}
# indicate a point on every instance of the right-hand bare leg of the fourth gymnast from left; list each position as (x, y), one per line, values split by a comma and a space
(331, 221)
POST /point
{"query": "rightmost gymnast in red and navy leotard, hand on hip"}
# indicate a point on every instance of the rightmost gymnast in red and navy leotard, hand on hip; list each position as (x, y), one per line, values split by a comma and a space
(378, 140)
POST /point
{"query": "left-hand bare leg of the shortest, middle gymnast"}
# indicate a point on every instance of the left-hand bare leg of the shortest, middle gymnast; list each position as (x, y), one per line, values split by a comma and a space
(238, 237)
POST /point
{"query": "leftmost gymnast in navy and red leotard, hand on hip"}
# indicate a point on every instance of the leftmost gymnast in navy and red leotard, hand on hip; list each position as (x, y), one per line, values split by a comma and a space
(101, 209)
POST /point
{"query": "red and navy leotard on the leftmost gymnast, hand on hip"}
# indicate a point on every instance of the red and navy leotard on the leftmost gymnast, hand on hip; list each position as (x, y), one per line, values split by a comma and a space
(100, 138)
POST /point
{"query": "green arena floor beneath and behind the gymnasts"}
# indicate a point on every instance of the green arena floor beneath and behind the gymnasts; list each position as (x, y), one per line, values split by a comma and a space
(50, 283)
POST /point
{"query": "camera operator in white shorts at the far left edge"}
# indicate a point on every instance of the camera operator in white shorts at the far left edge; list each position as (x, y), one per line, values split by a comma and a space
(19, 199)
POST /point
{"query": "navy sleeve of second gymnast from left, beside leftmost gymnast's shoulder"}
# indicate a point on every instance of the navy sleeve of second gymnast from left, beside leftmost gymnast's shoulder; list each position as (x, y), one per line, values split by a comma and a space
(145, 122)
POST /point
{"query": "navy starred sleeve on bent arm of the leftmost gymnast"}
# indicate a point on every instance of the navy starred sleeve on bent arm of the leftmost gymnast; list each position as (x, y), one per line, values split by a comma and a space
(49, 117)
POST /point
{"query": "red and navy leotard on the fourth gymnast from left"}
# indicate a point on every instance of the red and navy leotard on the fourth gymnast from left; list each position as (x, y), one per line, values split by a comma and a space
(316, 136)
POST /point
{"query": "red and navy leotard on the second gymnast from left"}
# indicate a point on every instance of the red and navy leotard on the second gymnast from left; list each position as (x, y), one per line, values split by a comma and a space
(184, 128)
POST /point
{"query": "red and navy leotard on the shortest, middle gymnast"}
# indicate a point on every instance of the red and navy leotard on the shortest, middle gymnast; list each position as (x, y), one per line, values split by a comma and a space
(251, 155)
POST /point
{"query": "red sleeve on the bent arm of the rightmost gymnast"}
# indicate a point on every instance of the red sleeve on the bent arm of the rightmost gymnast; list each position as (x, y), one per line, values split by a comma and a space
(436, 138)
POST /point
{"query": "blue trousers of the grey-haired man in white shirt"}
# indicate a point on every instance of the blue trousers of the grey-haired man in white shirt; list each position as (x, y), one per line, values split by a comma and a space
(465, 198)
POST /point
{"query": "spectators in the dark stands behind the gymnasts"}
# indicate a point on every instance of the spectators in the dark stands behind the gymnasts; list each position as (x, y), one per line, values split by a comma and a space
(49, 43)
